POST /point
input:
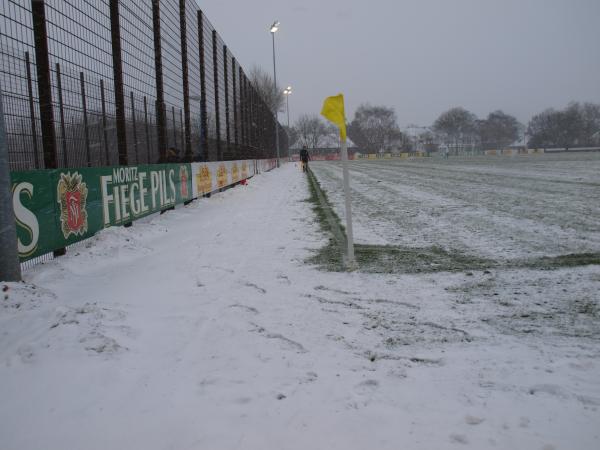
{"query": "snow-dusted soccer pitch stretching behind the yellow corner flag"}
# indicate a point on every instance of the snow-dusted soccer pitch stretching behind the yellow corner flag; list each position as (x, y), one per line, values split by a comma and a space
(515, 211)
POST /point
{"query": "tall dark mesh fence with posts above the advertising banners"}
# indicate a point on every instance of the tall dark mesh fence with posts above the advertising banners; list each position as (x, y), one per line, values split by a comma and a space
(109, 82)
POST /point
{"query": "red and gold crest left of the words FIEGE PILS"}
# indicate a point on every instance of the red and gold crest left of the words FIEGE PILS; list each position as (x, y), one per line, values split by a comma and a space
(72, 196)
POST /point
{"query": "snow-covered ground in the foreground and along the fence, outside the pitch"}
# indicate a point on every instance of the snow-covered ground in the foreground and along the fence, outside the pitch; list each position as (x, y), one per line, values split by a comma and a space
(204, 328)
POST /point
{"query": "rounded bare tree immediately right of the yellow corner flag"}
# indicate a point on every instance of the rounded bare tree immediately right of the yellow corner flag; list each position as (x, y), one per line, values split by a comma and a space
(374, 128)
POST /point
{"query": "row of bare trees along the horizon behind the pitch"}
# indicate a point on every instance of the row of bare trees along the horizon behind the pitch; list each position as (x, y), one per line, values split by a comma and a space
(374, 128)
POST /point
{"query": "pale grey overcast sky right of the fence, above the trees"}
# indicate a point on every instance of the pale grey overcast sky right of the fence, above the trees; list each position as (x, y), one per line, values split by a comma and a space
(421, 57)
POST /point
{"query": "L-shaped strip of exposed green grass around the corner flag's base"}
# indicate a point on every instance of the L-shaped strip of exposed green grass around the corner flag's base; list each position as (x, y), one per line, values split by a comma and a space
(399, 259)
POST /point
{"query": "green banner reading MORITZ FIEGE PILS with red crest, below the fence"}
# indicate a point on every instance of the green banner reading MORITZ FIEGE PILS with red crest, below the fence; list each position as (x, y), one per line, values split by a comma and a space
(55, 208)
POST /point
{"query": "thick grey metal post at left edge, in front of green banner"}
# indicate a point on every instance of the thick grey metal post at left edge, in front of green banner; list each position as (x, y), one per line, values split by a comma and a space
(10, 268)
